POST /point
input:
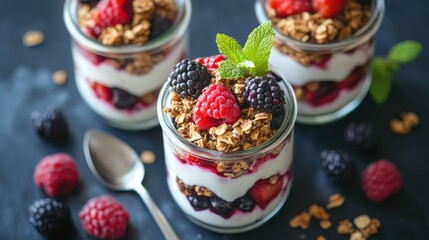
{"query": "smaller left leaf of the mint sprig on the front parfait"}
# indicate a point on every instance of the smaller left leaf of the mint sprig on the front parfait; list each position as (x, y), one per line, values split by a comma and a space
(229, 47)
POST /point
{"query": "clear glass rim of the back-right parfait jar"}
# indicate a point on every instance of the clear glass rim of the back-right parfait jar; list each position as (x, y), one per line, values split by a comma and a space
(359, 37)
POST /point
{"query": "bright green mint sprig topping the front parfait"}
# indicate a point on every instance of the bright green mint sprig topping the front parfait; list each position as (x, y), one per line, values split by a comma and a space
(250, 60)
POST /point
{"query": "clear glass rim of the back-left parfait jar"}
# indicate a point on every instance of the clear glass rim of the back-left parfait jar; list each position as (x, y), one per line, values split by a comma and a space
(177, 30)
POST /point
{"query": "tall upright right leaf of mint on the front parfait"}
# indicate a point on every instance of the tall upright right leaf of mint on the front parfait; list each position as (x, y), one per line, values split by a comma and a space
(257, 48)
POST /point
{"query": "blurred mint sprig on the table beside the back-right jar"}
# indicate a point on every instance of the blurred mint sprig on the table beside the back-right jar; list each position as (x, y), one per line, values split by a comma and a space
(383, 68)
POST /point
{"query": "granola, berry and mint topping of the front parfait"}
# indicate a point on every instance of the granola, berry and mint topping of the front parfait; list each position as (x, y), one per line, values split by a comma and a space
(231, 110)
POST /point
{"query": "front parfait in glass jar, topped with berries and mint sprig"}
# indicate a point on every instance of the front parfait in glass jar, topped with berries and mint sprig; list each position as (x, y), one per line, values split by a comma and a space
(228, 135)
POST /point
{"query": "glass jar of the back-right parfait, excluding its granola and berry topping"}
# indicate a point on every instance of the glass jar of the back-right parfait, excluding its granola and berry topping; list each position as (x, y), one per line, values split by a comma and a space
(329, 79)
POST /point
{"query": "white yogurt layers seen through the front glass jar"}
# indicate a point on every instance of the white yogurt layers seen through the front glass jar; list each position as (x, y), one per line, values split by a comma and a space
(227, 188)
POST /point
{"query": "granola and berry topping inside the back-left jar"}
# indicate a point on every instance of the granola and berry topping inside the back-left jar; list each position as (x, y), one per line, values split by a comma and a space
(120, 22)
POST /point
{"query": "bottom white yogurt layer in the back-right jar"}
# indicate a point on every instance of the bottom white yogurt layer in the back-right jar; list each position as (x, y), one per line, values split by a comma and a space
(344, 97)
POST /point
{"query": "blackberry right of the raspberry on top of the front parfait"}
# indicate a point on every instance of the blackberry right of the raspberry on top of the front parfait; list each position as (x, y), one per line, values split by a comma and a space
(264, 94)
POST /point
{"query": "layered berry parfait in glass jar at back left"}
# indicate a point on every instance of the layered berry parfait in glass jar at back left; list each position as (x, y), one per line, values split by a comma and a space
(123, 51)
